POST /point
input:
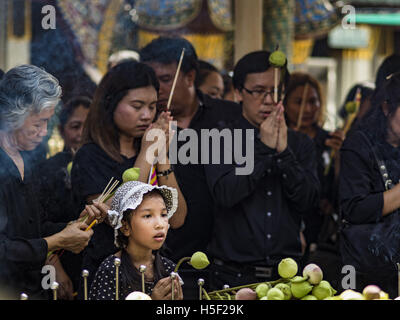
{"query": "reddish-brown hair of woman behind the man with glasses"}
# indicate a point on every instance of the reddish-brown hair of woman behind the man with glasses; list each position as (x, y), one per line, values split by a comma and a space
(298, 79)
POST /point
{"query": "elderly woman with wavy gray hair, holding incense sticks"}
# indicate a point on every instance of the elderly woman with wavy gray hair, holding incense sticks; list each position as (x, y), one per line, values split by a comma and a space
(28, 96)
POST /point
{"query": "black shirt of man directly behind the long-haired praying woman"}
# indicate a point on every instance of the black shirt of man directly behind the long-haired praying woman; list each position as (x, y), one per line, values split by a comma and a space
(196, 232)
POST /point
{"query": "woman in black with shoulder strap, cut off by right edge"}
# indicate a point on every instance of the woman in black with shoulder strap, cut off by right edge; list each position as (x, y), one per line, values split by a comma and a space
(369, 192)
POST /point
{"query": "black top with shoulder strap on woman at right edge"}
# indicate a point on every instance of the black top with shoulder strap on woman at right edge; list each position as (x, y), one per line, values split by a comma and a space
(360, 184)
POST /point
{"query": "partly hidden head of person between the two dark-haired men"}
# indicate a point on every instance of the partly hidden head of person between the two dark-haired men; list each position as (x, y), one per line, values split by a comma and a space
(209, 80)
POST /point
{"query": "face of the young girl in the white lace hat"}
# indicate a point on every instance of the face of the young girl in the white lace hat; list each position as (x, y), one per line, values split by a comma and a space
(149, 223)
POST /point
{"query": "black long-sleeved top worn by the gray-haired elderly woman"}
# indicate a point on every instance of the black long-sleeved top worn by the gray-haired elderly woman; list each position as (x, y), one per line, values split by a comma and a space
(23, 250)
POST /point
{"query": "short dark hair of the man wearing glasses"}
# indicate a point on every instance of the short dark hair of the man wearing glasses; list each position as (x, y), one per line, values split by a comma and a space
(254, 62)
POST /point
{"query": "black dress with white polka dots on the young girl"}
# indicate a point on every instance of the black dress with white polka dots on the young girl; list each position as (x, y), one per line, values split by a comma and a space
(104, 284)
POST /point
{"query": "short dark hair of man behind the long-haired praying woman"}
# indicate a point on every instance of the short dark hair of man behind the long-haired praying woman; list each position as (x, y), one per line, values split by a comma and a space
(167, 50)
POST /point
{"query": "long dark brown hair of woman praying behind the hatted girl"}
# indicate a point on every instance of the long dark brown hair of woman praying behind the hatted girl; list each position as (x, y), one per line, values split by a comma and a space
(100, 127)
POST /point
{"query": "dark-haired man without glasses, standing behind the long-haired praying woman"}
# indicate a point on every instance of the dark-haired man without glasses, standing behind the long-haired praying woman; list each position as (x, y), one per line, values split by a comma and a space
(192, 110)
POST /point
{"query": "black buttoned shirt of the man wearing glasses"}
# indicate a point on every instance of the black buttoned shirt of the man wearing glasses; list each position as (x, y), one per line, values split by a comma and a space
(259, 215)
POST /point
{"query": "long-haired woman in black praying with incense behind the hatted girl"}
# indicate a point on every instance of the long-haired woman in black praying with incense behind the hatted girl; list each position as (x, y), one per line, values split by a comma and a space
(115, 138)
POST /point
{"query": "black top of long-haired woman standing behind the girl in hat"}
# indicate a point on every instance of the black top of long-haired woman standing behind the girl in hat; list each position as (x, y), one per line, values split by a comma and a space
(91, 171)
